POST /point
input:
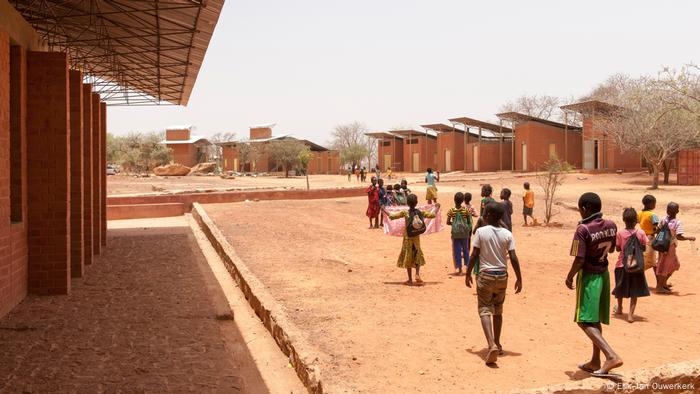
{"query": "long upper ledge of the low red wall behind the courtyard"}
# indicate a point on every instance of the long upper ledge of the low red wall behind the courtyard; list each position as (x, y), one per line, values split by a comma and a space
(223, 197)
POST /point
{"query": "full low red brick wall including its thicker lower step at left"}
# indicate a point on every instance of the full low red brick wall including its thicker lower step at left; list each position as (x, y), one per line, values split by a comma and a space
(137, 207)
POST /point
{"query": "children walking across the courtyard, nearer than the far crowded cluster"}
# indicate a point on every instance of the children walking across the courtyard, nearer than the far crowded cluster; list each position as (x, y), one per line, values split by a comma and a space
(595, 238)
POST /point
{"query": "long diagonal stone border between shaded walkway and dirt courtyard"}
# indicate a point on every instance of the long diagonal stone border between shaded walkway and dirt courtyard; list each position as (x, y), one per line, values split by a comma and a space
(302, 355)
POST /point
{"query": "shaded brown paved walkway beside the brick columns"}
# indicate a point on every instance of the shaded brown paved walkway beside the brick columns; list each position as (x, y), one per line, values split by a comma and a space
(142, 321)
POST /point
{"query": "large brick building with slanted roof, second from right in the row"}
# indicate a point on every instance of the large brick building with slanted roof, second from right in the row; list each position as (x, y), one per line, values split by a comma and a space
(536, 140)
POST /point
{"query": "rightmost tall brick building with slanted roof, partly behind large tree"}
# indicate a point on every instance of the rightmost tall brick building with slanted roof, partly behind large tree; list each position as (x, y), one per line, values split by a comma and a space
(599, 152)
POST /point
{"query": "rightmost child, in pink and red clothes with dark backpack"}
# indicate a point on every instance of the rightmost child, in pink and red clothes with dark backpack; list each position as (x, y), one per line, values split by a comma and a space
(668, 261)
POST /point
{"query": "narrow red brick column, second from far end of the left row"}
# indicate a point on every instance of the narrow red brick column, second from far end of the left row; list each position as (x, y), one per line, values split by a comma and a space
(96, 179)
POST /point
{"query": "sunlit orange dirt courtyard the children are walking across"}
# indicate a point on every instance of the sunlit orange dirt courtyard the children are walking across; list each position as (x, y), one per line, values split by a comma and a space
(339, 283)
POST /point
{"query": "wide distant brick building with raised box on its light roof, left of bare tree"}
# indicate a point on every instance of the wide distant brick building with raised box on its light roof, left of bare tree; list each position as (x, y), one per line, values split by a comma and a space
(323, 161)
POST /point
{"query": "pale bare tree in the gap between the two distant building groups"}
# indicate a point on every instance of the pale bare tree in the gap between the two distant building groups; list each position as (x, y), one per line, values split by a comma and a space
(352, 143)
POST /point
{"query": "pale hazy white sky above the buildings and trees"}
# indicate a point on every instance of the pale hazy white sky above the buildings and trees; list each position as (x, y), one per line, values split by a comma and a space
(310, 65)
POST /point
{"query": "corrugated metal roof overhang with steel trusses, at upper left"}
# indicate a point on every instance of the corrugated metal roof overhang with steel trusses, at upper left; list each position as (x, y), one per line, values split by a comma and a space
(132, 52)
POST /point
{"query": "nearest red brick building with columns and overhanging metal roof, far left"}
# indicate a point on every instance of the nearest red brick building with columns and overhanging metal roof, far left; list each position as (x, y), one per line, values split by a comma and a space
(61, 63)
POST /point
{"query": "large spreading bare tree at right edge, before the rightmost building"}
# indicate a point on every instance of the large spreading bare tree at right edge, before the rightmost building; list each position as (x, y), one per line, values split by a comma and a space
(650, 118)
